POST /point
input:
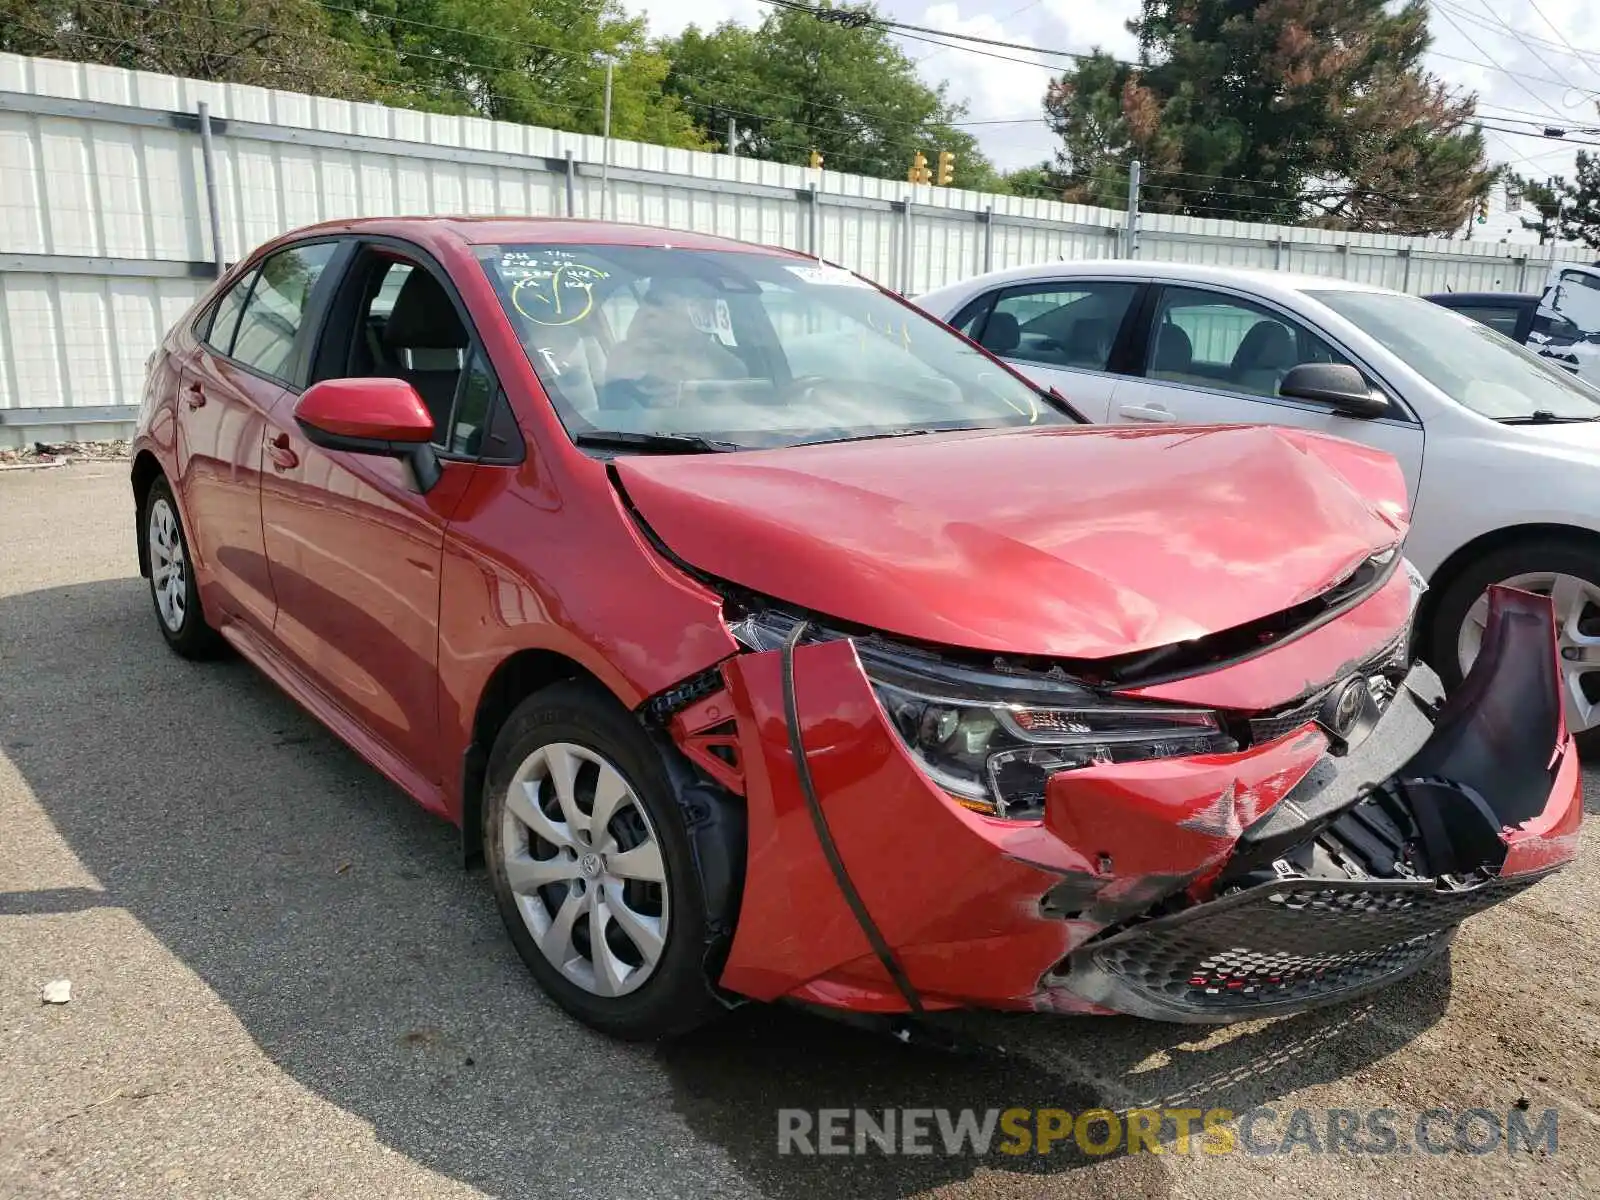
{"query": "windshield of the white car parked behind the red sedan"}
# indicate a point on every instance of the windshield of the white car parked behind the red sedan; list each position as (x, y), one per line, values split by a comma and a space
(1470, 362)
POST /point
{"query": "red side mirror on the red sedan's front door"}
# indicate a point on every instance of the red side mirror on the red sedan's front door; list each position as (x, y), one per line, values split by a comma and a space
(372, 417)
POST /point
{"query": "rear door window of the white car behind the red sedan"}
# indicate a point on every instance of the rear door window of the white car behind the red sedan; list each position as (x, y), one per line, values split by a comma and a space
(1066, 326)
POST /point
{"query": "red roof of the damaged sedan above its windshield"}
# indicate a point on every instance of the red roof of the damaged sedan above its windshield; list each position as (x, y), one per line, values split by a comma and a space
(540, 230)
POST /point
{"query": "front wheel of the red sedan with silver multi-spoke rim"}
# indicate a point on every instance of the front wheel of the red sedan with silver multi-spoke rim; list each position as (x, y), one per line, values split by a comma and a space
(591, 866)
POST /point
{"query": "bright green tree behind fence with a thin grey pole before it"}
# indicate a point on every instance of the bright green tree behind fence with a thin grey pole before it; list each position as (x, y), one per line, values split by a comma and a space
(540, 63)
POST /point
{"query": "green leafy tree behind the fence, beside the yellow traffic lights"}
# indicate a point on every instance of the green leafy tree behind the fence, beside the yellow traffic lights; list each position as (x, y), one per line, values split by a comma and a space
(796, 84)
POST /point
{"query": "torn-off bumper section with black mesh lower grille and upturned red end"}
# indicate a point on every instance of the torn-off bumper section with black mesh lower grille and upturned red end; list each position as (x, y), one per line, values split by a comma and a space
(1362, 874)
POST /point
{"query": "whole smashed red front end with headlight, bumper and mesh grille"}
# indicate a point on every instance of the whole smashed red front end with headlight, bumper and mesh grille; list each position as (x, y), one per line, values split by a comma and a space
(935, 833)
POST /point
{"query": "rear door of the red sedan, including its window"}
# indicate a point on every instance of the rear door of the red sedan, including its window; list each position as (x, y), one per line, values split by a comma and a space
(249, 343)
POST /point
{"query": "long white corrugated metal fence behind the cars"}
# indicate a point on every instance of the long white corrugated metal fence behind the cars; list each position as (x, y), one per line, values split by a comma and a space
(122, 191)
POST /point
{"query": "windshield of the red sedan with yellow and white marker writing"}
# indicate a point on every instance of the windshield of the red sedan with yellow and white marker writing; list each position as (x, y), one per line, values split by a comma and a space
(742, 350)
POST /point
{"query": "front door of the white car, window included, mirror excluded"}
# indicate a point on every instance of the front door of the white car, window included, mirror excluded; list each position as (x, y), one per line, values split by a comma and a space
(1218, 358)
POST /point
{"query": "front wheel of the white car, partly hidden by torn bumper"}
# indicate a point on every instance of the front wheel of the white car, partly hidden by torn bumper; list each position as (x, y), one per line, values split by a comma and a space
(1564, 570)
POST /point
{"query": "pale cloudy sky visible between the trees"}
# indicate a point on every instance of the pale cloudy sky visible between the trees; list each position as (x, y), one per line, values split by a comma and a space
(1527, 62)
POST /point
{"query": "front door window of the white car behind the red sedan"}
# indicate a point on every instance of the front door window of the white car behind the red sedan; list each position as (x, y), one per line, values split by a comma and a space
(1209, 340)
